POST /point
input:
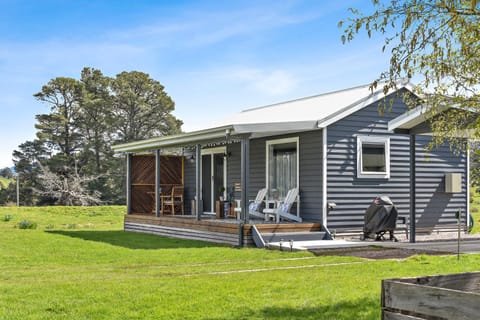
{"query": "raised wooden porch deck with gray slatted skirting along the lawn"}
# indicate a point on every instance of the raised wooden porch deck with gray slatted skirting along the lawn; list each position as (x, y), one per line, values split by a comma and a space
(208, 229)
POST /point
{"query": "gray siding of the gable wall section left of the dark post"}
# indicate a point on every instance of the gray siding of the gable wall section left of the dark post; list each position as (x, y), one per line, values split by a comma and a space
(352, 195)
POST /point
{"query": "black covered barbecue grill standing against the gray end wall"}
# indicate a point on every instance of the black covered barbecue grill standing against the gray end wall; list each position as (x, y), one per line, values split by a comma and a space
(380, 218)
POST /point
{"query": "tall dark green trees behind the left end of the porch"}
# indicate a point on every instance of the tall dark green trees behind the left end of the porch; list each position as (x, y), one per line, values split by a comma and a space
(73, 145)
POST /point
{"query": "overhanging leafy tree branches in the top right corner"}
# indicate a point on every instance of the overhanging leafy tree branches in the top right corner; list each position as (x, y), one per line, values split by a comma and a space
(435, 43)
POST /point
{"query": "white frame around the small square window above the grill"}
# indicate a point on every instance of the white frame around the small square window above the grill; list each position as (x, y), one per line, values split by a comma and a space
(372, 174)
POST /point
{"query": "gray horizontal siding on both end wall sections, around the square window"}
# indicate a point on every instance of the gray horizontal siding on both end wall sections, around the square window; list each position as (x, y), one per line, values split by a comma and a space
(353, 196)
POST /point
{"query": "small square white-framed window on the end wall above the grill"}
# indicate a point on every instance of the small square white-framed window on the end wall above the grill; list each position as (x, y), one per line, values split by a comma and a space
(373, 157)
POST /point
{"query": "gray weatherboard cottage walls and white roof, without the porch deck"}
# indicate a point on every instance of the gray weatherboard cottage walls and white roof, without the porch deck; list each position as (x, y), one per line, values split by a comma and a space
(336, 147)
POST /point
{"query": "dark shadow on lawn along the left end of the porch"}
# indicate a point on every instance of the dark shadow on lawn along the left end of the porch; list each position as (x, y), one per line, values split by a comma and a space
(133, 240)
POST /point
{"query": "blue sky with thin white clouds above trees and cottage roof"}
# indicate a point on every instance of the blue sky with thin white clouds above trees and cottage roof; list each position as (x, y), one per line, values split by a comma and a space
(214, 58)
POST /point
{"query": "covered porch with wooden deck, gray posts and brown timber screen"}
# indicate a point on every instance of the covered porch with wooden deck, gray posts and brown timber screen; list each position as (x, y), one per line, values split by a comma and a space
(214, 169)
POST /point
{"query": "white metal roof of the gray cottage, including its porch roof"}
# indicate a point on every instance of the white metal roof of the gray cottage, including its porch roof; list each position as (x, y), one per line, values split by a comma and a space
(297, 115)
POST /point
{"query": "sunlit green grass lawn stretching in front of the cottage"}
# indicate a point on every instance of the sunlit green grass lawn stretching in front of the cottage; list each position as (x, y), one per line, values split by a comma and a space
(78, 264)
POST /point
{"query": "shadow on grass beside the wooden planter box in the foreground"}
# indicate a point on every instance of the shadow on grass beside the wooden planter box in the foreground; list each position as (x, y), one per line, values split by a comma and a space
(365, 308)
